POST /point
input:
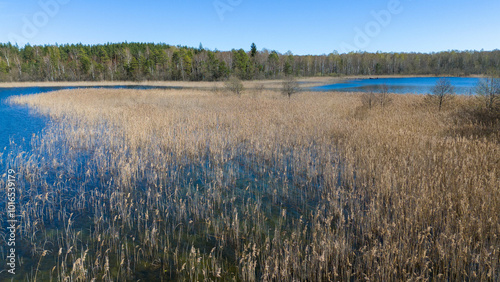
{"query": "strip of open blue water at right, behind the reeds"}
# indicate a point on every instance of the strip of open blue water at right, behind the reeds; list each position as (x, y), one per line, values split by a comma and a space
(413, 85)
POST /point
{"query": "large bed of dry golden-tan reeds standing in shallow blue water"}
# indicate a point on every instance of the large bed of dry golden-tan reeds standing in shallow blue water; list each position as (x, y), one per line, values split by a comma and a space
(191, 185)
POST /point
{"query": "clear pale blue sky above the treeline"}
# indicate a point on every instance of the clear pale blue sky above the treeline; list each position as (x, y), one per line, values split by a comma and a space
(303, 27)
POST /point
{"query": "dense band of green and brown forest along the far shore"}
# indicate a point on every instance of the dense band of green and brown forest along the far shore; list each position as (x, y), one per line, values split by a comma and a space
(148, 61)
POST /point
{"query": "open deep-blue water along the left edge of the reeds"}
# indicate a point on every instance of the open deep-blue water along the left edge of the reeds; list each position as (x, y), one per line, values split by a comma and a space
(18, 124)
